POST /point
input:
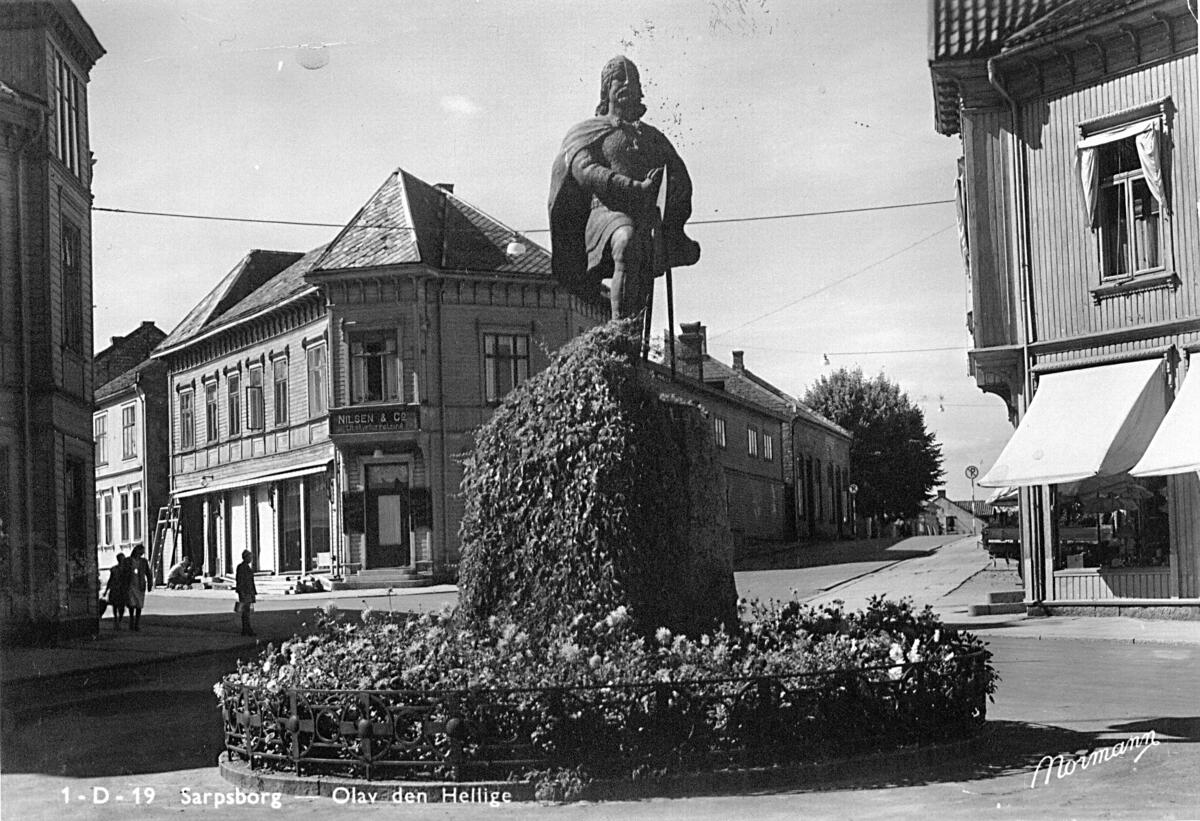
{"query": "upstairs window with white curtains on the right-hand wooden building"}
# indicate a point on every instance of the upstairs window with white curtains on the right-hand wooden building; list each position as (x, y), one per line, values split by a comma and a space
(1125, 196)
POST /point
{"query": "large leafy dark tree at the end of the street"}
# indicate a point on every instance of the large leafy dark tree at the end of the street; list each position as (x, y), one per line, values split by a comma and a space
(893, 459)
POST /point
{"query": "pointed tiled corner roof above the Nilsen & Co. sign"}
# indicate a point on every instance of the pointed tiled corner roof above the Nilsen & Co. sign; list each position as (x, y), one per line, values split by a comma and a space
(411, 221)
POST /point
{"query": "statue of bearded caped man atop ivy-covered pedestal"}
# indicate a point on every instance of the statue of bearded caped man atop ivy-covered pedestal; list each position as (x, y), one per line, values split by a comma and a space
(604, 191)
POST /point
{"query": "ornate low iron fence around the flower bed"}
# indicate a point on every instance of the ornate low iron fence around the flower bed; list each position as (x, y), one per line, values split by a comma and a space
(476, 734)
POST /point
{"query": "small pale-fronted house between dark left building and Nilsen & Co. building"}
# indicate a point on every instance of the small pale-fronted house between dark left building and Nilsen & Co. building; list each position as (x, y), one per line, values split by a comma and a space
(131, 444)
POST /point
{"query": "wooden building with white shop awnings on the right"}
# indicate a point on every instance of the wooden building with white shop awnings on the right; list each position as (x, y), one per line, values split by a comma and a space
(1079, 200)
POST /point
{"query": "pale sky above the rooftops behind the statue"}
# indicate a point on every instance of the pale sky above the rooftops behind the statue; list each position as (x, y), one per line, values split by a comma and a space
(299, 110)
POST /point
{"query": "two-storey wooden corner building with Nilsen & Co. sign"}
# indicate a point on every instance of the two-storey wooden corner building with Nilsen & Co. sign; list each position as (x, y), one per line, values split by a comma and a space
(322, 401)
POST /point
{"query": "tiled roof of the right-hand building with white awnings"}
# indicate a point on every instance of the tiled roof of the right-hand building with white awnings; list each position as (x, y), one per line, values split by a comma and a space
(963, 29)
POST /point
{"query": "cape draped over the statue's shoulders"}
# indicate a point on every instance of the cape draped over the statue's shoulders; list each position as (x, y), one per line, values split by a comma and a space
(571, 205)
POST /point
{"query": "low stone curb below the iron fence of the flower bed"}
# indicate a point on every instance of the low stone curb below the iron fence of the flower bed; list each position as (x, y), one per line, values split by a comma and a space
(862, 770)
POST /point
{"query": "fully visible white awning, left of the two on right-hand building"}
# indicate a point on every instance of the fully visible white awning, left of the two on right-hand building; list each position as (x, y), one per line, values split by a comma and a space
(1096, 421)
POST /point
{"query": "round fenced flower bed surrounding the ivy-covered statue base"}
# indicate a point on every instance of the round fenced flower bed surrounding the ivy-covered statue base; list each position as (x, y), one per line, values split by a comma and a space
(441, 699)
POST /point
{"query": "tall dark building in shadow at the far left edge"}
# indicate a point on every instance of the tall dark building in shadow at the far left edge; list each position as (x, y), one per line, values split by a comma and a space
(47, 550)
